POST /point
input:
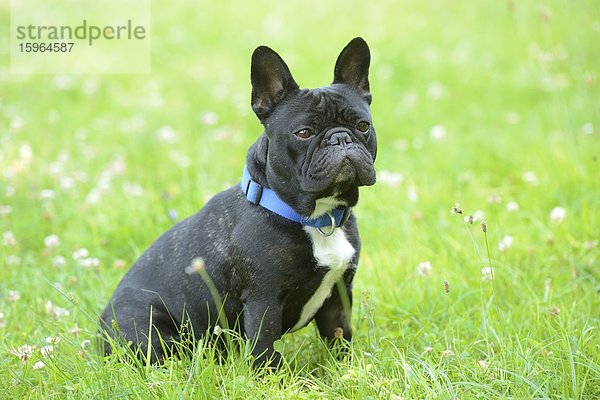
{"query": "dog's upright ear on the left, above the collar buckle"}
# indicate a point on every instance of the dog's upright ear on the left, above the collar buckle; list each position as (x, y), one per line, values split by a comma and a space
(271, 81)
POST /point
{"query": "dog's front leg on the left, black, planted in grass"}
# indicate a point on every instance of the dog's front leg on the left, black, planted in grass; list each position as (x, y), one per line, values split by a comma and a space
(262, 324)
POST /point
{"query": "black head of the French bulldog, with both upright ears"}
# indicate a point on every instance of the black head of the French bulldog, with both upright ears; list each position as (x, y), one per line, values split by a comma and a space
(318, 143)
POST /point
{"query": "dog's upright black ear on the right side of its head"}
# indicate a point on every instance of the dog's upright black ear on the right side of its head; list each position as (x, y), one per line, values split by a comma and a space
(352, 67)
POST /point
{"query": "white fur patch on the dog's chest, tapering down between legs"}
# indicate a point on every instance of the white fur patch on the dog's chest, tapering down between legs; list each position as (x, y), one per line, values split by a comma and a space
(333, 252)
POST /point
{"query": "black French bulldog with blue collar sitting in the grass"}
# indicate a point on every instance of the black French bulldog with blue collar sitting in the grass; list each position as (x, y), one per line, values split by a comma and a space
(279, 250)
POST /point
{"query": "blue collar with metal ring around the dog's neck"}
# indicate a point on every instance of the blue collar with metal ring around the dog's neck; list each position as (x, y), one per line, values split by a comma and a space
(267, 198)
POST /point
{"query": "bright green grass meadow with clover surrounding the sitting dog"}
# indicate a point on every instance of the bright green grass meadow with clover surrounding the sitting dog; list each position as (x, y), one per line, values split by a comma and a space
(489, 105)
